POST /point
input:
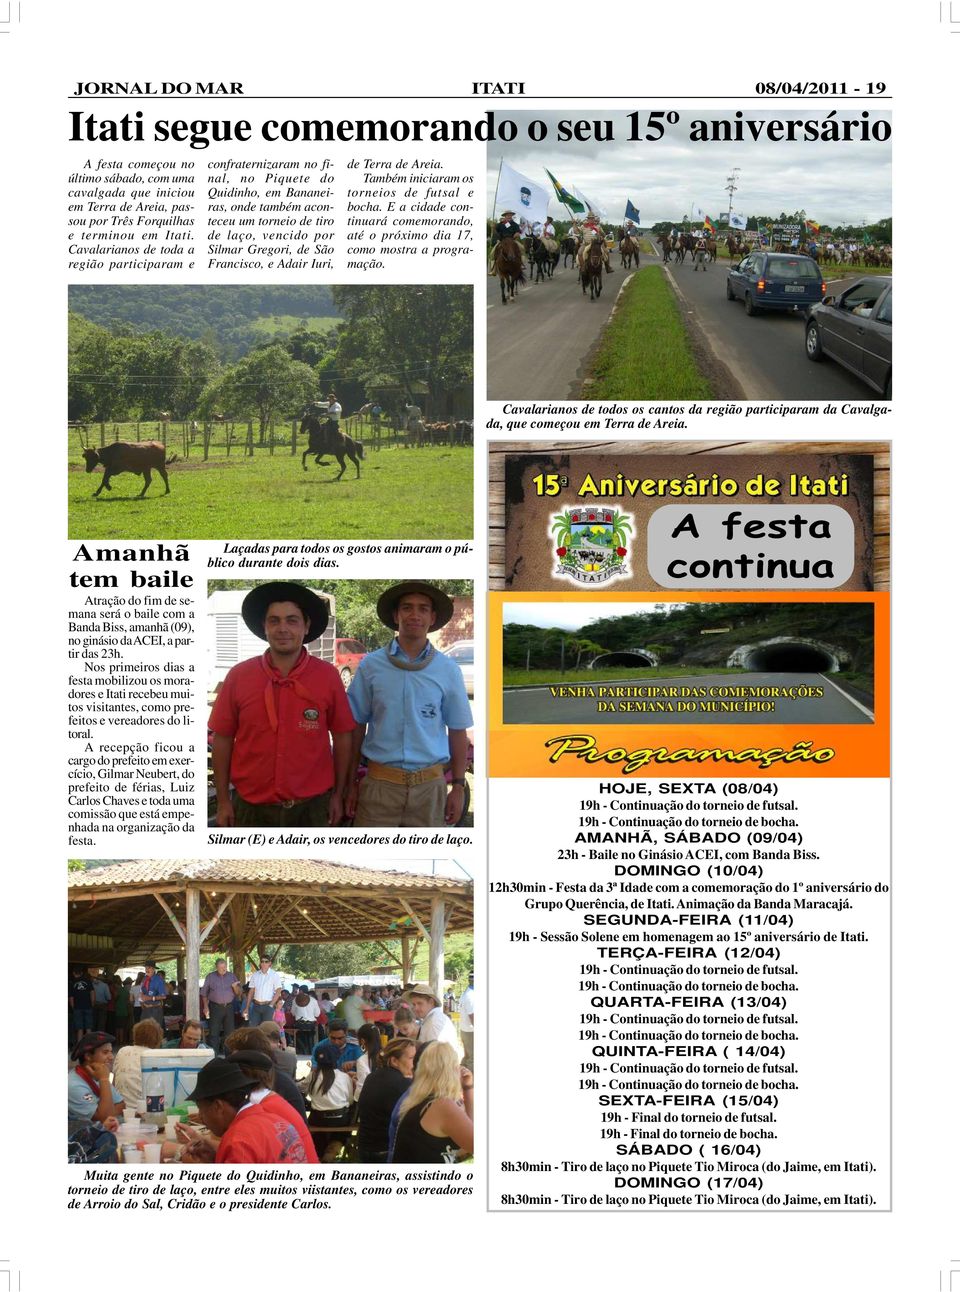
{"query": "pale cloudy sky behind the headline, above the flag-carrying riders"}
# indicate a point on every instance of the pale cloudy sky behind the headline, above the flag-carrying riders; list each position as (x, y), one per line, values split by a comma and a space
(834, 184)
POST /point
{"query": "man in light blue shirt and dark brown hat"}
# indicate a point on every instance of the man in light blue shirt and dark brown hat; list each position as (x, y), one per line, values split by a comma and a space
(413, 715)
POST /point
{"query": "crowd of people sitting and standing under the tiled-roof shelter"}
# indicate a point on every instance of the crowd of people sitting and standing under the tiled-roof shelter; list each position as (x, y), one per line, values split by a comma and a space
(399, 1083)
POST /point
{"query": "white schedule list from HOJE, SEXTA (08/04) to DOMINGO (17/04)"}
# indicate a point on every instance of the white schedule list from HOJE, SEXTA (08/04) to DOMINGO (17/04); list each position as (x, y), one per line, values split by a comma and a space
(693, 981)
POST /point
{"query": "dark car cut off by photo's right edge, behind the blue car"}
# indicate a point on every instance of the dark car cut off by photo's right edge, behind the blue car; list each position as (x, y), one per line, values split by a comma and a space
(856, 329)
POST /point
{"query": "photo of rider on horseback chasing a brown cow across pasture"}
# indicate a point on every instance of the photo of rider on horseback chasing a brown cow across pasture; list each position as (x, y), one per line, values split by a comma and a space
(271, 413)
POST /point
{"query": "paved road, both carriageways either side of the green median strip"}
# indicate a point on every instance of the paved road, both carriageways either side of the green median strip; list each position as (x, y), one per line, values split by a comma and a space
(538, 346)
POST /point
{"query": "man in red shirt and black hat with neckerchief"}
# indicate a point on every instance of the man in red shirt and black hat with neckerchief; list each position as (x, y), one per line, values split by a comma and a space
(276, 718)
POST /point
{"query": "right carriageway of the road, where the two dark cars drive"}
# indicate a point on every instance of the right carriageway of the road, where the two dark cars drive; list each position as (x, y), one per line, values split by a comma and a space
(766, 353)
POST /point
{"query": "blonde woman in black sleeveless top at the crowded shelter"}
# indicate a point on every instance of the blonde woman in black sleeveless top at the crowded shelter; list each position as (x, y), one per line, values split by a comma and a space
(436, 1116)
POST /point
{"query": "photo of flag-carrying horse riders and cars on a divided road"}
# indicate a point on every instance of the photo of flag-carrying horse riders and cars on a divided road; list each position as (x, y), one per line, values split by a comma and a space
(711, 256)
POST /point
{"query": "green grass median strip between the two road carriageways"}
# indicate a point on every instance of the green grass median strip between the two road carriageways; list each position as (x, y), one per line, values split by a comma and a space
(645, 352)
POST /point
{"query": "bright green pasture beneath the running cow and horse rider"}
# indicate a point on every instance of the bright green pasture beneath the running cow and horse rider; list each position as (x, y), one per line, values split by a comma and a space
(401, 494)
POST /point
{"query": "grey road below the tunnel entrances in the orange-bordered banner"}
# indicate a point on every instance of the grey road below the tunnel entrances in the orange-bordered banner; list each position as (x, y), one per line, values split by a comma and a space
(537, 706)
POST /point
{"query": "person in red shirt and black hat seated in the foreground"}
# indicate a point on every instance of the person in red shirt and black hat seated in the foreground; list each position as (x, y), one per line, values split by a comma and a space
(246, 1131)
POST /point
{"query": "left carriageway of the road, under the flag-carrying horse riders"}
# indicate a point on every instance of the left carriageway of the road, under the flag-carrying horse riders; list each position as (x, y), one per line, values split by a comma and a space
(537, 346)
